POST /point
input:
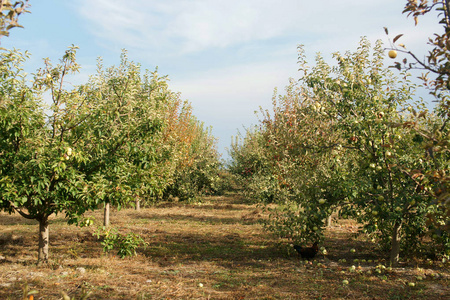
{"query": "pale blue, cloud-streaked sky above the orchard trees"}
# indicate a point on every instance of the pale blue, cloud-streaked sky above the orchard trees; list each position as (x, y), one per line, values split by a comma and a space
(224, 56)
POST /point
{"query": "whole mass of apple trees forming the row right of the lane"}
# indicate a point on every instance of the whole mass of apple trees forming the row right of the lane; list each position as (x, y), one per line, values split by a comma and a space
(334, 142)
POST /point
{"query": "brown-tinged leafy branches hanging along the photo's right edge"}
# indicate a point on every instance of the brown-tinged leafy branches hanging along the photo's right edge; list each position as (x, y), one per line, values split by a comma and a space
(433, 174)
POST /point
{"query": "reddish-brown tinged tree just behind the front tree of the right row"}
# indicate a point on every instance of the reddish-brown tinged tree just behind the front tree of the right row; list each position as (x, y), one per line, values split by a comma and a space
(299, 145)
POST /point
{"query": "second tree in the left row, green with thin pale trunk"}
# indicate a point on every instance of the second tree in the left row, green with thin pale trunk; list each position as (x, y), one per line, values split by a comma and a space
(131, 169)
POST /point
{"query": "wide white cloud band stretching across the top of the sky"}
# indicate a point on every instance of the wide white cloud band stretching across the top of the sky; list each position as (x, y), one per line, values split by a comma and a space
(183, 26)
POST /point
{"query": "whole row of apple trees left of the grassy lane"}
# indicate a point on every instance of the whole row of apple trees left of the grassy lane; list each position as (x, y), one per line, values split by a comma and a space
(121, 137)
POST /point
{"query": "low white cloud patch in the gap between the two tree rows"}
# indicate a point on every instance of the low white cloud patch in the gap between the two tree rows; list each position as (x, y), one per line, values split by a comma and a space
(246, 85)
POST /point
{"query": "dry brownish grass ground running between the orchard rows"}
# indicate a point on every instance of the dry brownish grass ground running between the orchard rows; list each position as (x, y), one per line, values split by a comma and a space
(212, 250)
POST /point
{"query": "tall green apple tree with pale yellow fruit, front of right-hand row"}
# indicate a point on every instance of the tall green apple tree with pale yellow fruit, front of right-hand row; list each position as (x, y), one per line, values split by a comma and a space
(366, 101)
